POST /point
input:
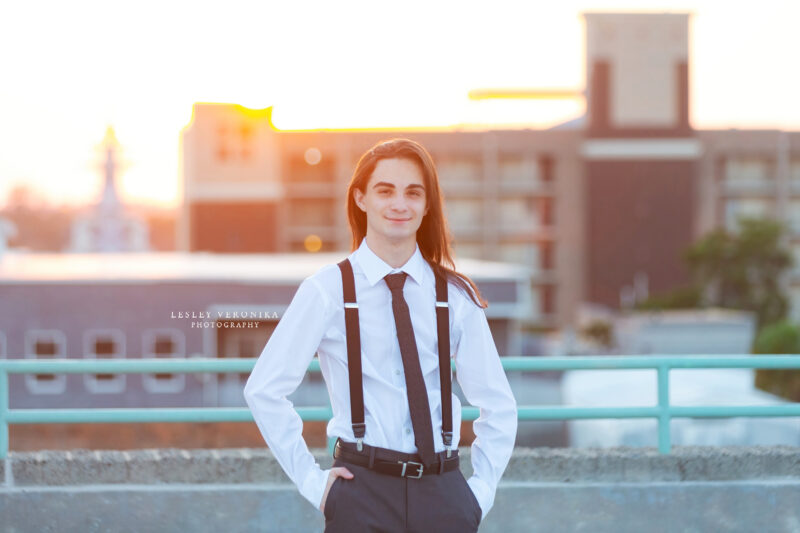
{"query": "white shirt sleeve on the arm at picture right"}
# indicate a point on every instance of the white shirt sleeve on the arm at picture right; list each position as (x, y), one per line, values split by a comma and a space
(482, 379)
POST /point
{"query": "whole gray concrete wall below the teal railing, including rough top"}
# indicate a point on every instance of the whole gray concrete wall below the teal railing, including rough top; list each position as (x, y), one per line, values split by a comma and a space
(715, 489)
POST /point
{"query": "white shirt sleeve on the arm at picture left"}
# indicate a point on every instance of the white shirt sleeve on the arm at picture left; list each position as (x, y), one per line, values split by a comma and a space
(277, 373)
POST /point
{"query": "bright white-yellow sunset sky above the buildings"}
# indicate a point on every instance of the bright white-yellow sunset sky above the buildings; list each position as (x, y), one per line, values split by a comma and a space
(70, 69)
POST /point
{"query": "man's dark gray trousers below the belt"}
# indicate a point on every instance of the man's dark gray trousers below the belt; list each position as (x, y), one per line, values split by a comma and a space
(373, 502)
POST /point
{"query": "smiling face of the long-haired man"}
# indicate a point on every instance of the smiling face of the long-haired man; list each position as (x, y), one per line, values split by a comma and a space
(394, 200)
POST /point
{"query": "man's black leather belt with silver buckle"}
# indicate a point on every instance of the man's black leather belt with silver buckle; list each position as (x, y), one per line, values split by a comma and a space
(392, 462)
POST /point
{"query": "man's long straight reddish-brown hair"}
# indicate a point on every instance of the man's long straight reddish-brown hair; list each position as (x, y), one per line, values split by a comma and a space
(433, 235)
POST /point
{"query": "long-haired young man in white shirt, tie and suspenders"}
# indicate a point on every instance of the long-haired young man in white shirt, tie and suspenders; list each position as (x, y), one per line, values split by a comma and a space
(380, 322)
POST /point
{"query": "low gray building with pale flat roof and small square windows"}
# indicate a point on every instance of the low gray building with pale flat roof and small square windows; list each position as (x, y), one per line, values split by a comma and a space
(177, 305)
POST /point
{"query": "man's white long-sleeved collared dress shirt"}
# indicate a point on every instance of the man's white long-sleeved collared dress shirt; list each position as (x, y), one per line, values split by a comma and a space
(314, 322)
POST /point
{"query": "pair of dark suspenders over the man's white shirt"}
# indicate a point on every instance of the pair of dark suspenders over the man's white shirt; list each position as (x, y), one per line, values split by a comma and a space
(354, 356)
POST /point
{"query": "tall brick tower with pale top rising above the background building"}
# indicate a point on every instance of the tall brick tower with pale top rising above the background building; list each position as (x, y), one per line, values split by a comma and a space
(640, 155)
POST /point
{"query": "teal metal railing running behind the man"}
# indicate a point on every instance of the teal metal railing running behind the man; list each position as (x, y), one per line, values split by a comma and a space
(663, 412)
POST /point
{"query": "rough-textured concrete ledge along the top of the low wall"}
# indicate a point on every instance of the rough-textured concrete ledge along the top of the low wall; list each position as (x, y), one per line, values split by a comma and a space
(246, 465)
